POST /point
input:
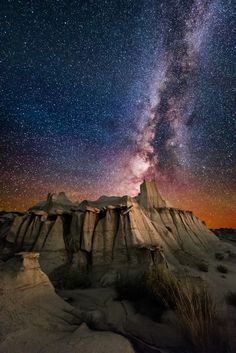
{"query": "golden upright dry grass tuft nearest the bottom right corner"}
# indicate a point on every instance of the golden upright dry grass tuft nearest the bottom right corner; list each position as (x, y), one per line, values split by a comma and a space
(200, 323)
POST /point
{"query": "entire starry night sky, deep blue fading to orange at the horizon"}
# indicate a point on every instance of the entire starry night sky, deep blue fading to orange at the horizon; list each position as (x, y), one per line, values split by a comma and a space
(95, 96)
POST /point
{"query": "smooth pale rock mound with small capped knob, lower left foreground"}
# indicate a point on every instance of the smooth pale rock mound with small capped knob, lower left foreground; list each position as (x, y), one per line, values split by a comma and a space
(34, 318)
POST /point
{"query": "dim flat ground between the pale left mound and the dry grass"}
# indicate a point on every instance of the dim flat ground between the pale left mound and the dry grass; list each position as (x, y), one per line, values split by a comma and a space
(100, 307)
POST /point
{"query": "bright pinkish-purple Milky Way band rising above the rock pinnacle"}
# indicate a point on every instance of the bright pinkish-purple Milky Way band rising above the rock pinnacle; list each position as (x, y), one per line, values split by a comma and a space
(162, 136)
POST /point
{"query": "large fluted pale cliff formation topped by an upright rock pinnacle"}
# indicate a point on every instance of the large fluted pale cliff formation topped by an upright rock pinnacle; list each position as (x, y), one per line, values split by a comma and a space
(112, 231)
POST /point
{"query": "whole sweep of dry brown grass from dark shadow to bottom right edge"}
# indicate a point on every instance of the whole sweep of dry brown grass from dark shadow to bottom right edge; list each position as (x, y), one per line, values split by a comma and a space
(201, 326)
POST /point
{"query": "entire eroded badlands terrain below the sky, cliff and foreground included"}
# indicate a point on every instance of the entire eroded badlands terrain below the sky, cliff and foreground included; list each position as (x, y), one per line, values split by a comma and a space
(107, 276)
